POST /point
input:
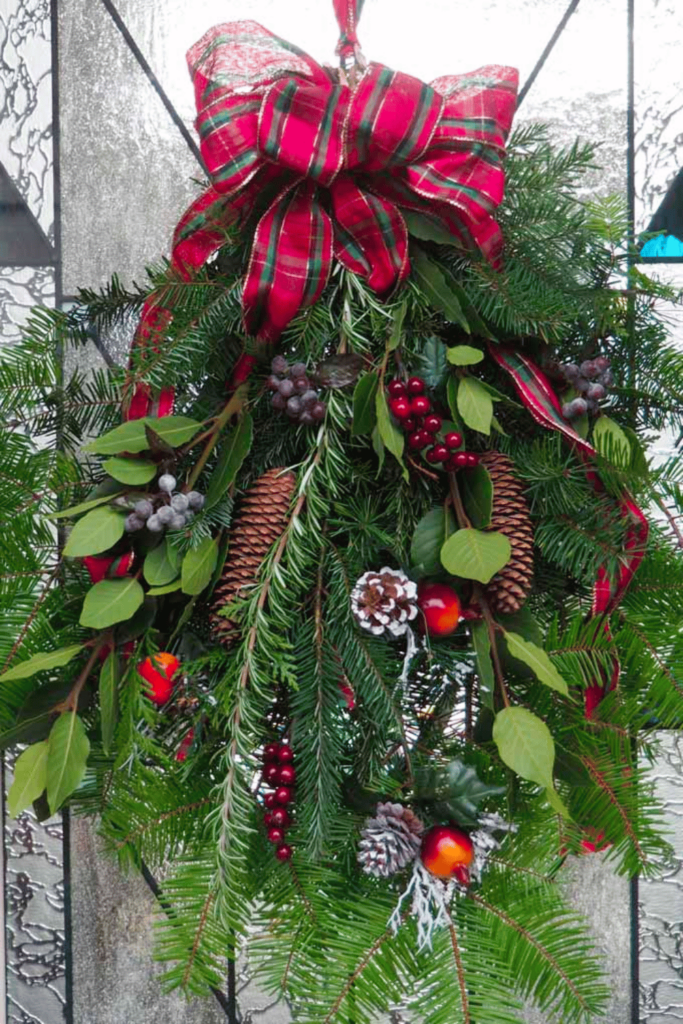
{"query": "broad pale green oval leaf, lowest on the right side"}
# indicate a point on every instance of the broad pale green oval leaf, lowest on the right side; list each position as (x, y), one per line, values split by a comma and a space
(526, 745)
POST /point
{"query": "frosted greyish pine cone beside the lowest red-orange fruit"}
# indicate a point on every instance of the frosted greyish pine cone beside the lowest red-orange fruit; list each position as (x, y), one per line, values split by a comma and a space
(391, 840)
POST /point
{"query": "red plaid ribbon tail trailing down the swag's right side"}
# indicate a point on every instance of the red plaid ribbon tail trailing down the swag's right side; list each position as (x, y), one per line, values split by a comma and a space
(539, 398)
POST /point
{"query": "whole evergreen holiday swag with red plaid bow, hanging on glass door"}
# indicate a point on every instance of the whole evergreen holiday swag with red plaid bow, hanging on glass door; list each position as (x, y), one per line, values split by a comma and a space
(357, 626)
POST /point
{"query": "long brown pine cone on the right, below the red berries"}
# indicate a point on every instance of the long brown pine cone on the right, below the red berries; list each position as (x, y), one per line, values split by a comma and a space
(509, 588)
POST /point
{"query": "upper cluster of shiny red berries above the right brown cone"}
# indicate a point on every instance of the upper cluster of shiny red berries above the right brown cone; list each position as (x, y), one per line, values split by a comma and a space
(413, 409)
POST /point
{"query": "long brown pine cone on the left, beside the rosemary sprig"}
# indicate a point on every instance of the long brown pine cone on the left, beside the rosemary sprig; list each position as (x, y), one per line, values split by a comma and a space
(260, 524)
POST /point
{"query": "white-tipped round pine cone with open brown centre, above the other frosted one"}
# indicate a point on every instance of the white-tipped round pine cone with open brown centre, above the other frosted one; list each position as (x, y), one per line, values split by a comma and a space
(385, 602)
